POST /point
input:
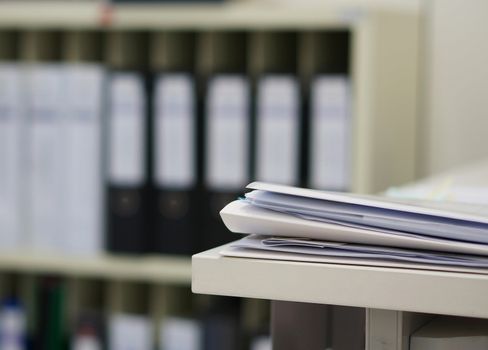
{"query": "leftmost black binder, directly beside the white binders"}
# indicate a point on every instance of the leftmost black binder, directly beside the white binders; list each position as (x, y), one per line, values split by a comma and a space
(127, 192)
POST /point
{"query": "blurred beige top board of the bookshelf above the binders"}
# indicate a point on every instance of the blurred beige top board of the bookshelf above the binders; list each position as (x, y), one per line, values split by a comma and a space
(243, 14)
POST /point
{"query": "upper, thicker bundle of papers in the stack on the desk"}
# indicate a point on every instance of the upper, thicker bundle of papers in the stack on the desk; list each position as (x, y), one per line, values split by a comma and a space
(293, 212)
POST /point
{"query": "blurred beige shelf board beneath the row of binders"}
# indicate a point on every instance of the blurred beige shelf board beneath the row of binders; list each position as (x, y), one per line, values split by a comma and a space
(153, 269)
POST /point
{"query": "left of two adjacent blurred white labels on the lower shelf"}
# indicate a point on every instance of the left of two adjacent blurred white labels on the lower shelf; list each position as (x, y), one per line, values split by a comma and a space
(130, 332)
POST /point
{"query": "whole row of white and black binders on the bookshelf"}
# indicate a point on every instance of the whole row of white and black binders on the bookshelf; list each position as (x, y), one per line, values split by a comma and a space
(97, 157)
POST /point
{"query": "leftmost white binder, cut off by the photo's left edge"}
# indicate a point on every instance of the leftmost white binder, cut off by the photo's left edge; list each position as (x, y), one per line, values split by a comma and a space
(12, 143)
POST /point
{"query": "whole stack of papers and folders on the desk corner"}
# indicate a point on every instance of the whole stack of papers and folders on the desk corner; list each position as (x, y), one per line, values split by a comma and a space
(306, 225)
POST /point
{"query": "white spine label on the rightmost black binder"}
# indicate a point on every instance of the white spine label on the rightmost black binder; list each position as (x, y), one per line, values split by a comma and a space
(330, 133)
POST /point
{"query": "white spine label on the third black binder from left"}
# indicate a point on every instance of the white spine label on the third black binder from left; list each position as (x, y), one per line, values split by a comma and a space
(227, 151)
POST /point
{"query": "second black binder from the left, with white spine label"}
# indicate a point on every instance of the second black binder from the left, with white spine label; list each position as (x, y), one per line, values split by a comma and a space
(175, 164)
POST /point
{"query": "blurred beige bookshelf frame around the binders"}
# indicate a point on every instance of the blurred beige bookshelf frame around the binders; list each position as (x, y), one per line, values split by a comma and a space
(374, 40)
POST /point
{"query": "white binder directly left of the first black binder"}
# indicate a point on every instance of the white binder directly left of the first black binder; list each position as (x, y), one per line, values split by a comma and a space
(82, 171)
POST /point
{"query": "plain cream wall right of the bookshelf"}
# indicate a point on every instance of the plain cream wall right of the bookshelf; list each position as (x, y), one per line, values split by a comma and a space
(456, 78)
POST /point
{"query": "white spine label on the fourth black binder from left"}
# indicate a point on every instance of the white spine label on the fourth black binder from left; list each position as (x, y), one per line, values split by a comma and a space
(278, 130)
